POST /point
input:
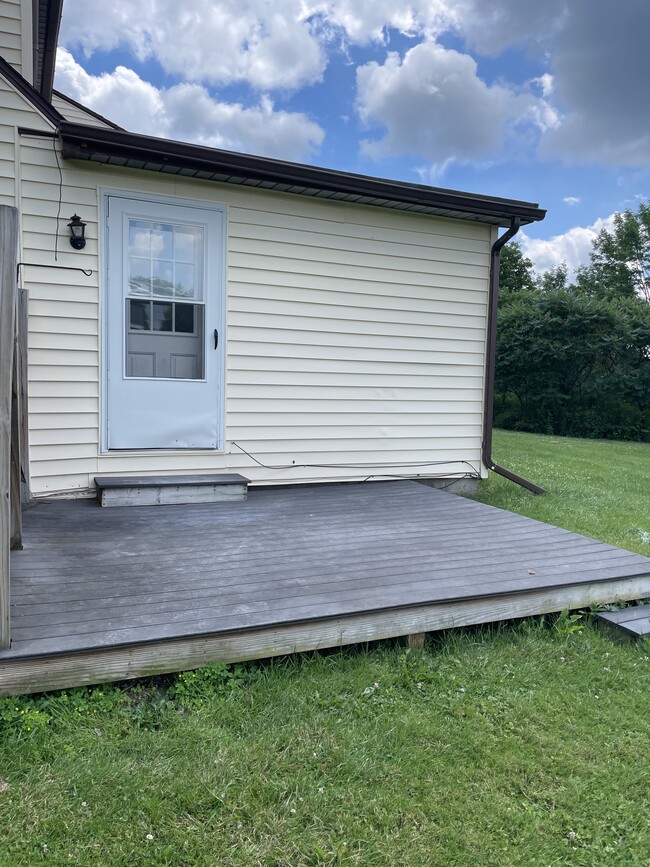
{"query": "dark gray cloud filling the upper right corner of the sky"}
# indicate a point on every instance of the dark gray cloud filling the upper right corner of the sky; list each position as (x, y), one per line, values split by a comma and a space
(598, 68)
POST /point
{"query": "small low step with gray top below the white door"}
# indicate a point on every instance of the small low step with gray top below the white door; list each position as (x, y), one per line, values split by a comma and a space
(171, 490)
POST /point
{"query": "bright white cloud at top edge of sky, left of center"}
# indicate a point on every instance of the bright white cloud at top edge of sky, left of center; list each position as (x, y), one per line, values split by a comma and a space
(218, 43)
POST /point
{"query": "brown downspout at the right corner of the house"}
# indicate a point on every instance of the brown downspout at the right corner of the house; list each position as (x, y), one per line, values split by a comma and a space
(490, 361)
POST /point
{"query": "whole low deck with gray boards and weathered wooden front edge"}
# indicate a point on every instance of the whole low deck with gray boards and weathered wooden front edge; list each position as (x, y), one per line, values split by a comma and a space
(100, 594)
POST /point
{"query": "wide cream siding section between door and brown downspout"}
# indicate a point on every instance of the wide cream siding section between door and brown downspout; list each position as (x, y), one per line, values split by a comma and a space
(357, 337)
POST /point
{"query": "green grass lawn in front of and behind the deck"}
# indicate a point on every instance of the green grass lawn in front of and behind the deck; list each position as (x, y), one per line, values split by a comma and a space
(517, 744)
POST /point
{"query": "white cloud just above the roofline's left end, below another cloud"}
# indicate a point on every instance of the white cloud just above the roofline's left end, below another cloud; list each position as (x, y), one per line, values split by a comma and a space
(188, 112)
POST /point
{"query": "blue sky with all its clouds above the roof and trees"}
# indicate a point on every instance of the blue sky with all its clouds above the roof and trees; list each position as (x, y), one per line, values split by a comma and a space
(545, 101)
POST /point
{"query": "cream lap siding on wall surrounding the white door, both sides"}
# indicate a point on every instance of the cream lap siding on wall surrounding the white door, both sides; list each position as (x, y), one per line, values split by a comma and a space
(356, 336)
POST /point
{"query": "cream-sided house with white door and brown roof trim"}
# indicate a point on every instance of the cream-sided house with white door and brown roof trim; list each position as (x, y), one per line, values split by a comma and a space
(235, 314)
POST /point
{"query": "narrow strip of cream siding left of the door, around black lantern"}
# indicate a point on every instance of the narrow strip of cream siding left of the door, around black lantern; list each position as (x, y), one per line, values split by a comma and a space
(64, 348)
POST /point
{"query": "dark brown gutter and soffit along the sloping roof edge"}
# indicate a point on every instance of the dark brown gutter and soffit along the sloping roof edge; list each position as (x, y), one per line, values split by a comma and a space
(154, 154)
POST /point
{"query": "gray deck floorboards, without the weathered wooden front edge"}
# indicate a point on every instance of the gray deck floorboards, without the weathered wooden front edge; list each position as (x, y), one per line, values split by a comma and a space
(90, 578)
